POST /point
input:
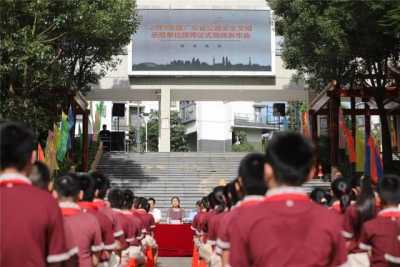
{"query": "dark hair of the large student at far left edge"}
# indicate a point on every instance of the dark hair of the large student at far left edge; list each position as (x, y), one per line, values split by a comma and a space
(17, 142)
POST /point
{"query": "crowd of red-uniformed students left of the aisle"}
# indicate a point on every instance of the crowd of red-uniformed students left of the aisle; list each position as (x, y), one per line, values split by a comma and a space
(66, 222)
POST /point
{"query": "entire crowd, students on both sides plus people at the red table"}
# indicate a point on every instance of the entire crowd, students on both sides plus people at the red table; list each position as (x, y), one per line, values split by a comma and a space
(262, 218)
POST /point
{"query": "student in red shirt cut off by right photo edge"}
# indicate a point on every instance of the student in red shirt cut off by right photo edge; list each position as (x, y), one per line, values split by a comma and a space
(380, 236)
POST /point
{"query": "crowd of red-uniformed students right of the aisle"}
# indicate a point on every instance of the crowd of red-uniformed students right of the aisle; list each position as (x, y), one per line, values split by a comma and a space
(265, 218)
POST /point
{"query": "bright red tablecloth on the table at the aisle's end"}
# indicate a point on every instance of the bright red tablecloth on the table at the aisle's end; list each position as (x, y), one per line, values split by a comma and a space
(174, 240)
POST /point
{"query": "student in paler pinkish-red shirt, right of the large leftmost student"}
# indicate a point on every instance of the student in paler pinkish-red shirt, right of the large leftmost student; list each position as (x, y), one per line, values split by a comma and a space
(84, 227)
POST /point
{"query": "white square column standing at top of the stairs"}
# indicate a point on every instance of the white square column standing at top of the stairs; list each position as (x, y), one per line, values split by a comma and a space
(164, 144)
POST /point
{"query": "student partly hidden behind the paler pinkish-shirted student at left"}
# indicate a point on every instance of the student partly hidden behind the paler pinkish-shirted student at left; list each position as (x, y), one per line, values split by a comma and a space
(87, 186)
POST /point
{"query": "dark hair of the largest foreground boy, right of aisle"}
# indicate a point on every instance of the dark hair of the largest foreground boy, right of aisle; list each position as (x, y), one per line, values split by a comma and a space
(291, 157)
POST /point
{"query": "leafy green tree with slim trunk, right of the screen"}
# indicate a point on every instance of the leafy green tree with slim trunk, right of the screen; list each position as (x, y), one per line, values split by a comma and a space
(344, 41)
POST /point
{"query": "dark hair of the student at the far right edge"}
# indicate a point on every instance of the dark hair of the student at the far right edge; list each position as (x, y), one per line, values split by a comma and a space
(389, 189)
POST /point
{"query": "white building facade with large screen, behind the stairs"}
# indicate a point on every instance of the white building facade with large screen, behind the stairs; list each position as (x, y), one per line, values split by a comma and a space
(225, 101)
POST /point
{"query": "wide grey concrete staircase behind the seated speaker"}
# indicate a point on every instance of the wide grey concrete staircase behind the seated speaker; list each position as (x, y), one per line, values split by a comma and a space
(163, 175)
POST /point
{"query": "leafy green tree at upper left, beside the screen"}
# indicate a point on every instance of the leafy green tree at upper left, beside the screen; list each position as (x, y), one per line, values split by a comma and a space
(51, 49)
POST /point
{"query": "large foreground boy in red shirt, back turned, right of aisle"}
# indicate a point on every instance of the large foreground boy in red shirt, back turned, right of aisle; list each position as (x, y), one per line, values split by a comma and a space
(287, 228)
